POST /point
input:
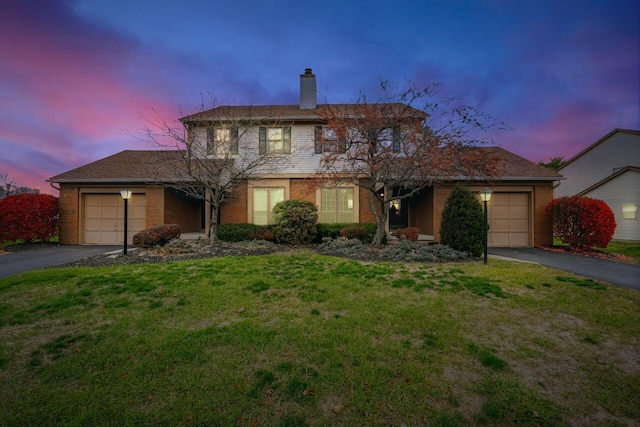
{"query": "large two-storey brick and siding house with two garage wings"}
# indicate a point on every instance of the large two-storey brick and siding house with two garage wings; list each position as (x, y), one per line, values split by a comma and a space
(91, 209)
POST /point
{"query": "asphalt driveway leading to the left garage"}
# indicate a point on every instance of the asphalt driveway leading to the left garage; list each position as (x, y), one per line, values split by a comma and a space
(22, 261)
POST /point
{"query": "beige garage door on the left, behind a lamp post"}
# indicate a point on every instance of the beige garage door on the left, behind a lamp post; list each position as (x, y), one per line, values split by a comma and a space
(103, 218)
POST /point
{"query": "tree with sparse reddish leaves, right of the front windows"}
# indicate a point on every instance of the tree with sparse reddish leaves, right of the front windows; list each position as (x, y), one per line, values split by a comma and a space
(403, 142)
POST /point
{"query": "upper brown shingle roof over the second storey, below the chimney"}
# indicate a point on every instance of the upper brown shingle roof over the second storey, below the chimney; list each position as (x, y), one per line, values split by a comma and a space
(292, 112)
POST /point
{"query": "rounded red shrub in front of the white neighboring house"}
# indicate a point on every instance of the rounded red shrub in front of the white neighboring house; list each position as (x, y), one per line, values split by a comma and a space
(582, 222)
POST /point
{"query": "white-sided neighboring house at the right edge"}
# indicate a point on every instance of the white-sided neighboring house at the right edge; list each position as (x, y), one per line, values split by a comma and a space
(609, 170)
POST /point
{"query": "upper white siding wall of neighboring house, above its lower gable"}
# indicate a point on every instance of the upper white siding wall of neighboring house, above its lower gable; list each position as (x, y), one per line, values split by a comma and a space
(619, 150)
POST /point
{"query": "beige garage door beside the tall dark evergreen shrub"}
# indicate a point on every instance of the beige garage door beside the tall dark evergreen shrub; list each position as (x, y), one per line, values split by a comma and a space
(509, 219)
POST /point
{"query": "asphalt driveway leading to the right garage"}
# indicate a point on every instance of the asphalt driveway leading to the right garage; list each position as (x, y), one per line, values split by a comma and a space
(617, 273)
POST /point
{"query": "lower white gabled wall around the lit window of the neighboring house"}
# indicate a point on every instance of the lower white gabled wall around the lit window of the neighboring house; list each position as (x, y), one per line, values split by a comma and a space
(624, 189)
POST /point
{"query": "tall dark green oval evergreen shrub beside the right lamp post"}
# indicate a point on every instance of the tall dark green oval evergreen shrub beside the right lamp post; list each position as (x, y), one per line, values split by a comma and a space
(462, 225)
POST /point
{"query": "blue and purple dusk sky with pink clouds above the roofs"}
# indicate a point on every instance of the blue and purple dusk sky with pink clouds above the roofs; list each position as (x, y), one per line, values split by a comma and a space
(75, 75)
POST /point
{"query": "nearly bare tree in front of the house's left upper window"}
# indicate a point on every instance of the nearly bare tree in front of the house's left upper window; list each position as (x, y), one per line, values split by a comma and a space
(212, 152)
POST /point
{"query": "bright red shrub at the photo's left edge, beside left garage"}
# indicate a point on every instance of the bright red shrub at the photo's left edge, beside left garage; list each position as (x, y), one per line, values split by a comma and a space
(28, 217)
